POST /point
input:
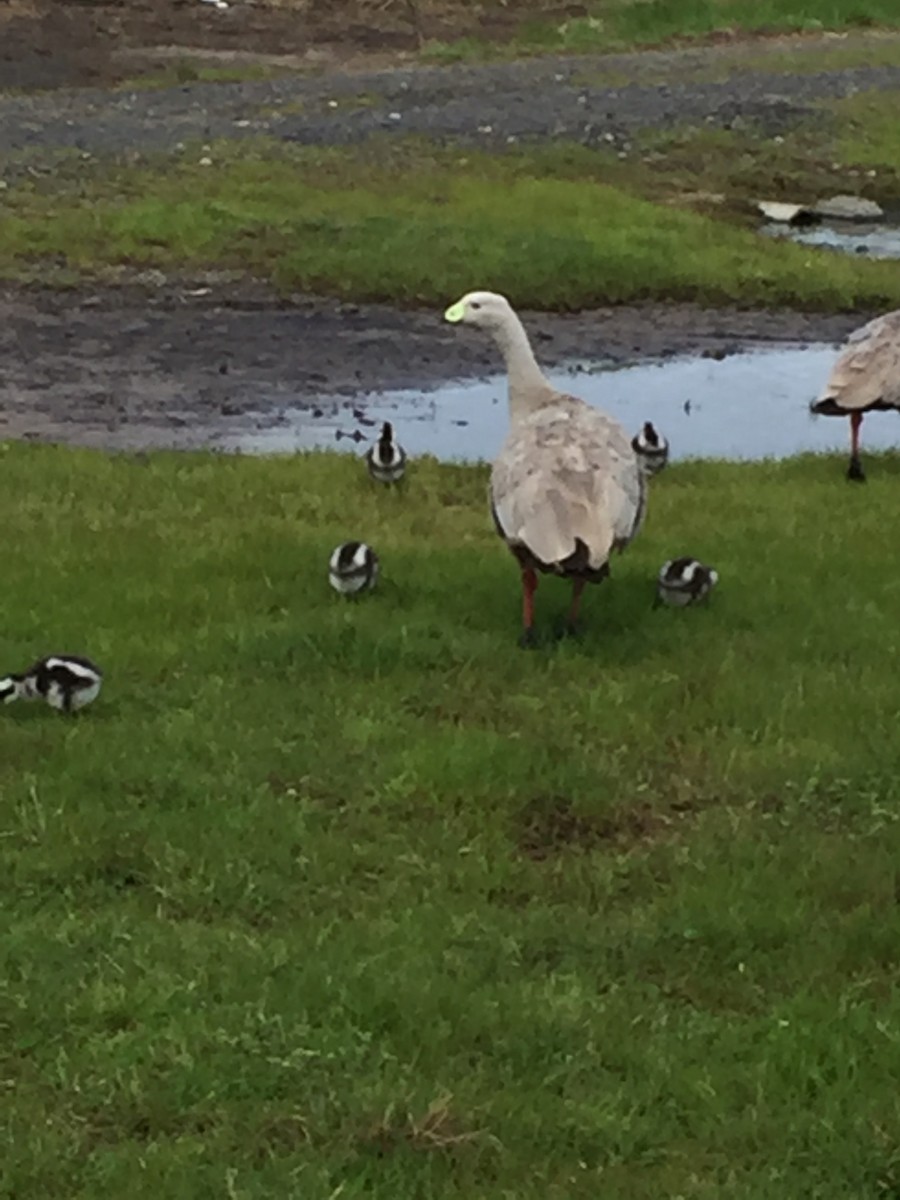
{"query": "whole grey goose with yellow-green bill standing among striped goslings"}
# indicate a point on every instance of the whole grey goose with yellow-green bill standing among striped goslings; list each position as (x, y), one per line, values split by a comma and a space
(567, 488)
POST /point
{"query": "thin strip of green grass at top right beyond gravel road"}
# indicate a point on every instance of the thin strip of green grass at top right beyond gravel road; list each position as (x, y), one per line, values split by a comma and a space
(616, 27)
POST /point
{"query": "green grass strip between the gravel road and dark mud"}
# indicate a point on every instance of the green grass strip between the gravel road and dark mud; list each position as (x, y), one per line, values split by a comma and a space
(419, 226)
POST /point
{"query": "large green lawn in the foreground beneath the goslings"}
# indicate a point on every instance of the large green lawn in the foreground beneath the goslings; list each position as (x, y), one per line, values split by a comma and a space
(349, 899)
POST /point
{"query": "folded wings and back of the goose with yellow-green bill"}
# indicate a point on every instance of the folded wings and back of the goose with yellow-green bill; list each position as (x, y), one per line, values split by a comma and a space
(568, 473)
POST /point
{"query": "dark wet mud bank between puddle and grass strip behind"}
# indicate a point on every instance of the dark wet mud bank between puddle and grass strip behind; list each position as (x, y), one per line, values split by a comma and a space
(131, 369)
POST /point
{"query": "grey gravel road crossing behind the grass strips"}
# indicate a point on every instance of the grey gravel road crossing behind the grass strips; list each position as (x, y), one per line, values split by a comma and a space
(488, 105)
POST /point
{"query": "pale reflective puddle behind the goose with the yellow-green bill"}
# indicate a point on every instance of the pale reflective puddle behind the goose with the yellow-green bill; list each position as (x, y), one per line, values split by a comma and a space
(753, 405)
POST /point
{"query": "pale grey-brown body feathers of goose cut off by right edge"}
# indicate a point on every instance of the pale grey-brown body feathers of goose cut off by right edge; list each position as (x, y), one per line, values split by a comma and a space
(868, 370)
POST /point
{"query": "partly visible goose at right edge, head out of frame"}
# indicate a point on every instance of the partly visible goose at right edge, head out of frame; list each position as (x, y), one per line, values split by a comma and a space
(866, 379)
